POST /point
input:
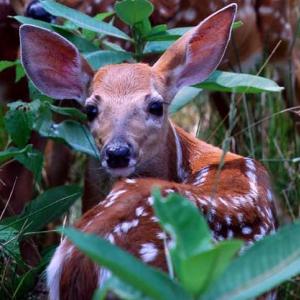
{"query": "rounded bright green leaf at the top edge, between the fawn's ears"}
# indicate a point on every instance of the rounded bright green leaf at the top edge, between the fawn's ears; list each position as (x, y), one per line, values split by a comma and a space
(133, 11)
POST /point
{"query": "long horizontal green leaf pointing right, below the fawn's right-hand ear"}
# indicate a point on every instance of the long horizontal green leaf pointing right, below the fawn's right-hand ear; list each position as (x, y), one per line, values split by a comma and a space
(238, 83)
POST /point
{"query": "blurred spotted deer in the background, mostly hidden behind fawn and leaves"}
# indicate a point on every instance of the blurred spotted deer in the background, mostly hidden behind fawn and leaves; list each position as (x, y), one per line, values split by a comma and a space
(265, 24)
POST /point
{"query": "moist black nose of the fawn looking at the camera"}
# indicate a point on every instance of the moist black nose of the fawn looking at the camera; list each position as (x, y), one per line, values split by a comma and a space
(118, 155)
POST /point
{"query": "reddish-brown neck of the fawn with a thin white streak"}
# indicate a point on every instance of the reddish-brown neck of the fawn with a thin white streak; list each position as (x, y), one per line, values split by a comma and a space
(181, 156)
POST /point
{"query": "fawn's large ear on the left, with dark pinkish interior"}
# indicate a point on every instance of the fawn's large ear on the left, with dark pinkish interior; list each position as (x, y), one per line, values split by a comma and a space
(54, 64)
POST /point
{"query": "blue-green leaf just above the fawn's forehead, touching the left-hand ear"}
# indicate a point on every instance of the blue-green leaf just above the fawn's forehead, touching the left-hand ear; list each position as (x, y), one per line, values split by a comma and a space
(101, 58)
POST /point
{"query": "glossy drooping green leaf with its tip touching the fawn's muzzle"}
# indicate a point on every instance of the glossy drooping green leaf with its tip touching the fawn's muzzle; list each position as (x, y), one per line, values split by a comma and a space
(73, 133)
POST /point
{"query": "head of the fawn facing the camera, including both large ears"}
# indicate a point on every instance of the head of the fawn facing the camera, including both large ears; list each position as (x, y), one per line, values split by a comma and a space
(126, 104)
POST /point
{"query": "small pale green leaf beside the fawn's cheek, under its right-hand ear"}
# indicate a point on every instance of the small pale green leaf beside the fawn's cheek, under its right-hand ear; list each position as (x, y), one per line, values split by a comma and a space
(183, 97)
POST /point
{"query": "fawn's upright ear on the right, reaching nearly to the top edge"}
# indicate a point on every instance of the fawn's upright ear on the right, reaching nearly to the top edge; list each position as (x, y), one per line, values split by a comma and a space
(197, 53)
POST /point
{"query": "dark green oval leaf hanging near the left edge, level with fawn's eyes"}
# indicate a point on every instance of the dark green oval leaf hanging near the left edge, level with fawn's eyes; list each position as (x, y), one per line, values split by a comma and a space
(18, 124)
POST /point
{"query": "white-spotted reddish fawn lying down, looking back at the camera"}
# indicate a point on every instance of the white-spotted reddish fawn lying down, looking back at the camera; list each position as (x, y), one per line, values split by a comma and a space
(127, 106)
